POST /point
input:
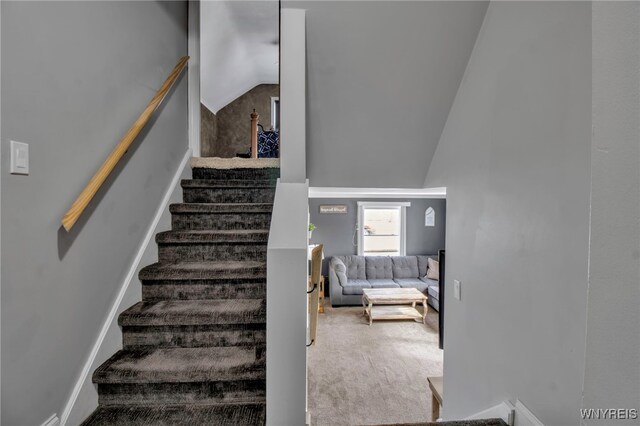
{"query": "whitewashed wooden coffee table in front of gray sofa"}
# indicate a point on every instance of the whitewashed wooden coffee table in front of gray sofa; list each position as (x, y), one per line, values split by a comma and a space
(393, 301)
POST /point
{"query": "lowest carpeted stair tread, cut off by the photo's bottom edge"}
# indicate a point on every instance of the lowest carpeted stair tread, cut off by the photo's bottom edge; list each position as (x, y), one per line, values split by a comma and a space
(241, 414)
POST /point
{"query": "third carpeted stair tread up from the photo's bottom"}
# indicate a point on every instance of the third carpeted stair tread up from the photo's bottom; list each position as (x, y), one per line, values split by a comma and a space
(194, 312)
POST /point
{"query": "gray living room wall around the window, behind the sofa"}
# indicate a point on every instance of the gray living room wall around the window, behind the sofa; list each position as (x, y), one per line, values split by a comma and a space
(336, 231)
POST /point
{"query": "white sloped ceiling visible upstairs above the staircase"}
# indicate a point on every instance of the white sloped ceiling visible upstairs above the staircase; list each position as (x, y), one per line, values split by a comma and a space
(238, 48)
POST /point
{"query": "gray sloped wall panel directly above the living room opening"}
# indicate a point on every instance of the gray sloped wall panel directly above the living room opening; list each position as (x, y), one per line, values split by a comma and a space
(381, 79)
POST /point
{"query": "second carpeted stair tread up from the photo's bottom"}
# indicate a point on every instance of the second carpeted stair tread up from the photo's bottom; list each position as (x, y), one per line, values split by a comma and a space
(181, 365)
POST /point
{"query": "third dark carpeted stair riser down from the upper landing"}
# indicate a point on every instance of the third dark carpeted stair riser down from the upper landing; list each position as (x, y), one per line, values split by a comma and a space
(200, 221)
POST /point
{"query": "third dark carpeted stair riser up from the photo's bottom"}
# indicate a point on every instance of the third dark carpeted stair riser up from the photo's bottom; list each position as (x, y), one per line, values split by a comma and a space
(202, 290)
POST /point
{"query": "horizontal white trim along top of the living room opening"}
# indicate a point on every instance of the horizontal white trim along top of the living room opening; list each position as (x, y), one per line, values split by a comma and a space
(341, 192)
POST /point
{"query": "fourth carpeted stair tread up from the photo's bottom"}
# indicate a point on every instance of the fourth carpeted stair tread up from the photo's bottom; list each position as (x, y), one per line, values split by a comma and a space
(204, 270)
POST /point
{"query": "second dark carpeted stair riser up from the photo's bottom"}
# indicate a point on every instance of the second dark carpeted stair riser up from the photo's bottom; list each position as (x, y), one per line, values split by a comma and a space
(192, 337)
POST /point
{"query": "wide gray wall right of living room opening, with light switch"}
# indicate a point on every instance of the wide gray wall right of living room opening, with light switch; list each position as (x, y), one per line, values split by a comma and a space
(515, 158)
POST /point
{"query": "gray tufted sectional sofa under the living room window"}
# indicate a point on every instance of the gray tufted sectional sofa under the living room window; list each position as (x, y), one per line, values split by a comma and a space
(348, 275)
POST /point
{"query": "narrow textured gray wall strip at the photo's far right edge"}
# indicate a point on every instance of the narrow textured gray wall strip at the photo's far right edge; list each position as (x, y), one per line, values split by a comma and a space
(612, 370)
